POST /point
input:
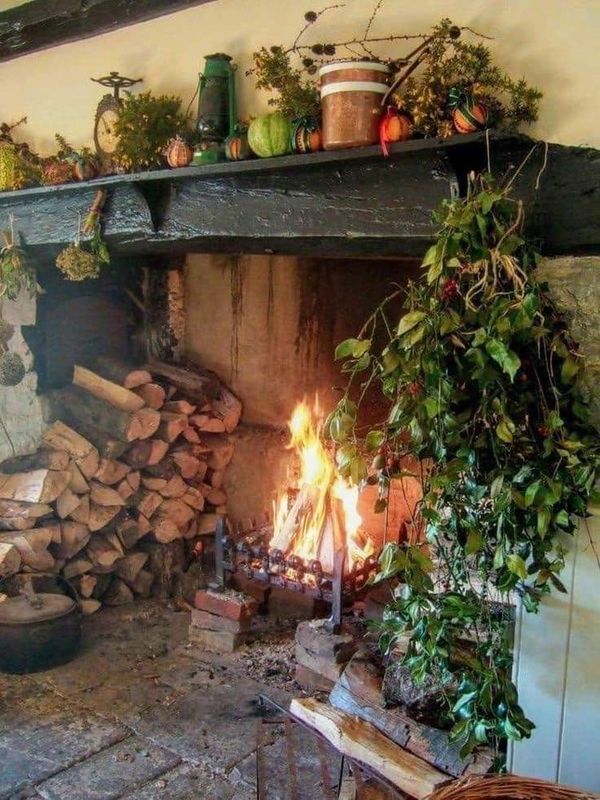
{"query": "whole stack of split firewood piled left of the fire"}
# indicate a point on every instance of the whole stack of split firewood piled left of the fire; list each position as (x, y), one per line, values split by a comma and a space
(134, 456)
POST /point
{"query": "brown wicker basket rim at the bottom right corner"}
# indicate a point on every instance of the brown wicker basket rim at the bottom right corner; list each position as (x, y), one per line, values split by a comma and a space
(508, 787)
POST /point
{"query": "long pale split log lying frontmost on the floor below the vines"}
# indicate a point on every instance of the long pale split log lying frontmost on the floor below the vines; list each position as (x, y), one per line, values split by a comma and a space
(361, 741)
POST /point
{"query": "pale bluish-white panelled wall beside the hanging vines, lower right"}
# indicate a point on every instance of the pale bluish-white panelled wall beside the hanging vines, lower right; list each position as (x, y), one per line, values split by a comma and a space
(557, 671)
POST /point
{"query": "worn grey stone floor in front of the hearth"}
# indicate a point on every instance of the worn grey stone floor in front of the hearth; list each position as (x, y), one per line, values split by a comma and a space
(142, 715)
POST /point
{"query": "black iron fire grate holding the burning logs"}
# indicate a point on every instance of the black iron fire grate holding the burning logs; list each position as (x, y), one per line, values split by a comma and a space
(247, 553)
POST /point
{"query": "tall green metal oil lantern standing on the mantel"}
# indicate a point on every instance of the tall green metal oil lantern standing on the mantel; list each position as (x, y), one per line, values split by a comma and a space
(216, 108)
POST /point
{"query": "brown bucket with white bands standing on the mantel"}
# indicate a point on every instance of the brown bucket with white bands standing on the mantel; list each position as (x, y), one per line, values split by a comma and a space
(351, 94)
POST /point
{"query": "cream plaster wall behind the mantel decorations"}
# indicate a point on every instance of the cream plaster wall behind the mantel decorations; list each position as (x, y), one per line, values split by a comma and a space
(552, 42)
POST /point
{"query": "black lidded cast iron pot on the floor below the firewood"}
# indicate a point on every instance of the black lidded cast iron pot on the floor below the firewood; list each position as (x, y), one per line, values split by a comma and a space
(39, 630)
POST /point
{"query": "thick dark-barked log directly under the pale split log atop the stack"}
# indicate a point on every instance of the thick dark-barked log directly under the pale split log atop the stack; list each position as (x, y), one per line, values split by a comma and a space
(84, 410)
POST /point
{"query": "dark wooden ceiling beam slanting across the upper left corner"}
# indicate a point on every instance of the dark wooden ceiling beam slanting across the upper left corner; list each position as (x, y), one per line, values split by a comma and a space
(39, 24)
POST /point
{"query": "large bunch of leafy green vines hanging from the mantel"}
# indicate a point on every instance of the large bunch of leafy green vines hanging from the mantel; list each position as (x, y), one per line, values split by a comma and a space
(484, 388)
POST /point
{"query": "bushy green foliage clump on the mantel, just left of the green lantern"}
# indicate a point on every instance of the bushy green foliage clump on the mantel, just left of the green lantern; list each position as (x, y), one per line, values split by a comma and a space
(145, 126)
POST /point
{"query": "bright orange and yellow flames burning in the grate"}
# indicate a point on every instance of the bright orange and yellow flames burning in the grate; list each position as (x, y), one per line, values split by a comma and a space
(304, 526)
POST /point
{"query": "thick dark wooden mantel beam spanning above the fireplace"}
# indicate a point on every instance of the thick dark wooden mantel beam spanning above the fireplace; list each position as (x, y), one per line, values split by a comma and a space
(343, 202)
